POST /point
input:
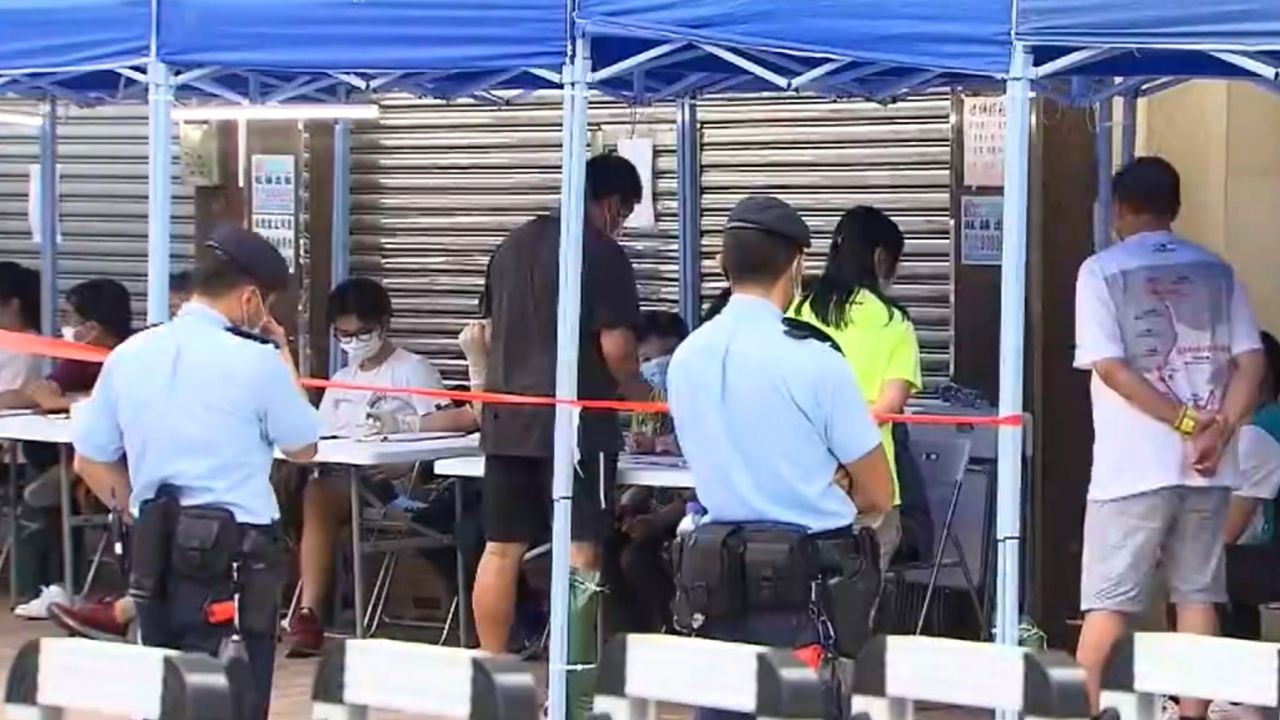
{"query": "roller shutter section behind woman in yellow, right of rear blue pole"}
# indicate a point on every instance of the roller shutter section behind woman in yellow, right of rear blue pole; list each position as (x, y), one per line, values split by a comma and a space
(825, 158)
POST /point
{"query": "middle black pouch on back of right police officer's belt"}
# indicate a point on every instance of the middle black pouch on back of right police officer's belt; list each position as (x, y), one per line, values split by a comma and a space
(779, 567)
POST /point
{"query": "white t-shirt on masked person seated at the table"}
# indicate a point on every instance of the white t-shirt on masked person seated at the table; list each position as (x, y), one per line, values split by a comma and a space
(344, 412)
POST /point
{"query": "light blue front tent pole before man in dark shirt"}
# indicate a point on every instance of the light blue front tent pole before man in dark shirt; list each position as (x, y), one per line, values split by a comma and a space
(568, 323)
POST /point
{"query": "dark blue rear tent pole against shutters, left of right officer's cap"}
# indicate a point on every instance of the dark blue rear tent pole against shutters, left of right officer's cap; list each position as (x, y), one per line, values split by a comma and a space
(689, 203)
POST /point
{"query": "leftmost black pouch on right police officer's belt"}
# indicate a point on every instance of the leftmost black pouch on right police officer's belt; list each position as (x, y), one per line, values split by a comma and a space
(708, 571)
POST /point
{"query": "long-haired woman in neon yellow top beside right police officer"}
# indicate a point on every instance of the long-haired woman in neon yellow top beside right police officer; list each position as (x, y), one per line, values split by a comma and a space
(874, 332)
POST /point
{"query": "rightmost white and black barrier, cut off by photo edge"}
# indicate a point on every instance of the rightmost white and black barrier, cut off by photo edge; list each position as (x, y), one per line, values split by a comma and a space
(1144, 668)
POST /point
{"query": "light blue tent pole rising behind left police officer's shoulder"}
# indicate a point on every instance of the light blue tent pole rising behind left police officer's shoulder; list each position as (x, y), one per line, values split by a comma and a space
(159, 189)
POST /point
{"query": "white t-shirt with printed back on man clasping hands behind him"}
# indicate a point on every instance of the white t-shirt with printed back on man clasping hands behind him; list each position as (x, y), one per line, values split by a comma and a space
(1176, 313)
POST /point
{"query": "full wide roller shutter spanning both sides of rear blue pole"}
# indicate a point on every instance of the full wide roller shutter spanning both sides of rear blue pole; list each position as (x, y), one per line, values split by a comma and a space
(435, 188)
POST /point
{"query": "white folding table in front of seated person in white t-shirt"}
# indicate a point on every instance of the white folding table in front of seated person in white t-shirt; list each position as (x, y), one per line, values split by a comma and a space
(387, 450)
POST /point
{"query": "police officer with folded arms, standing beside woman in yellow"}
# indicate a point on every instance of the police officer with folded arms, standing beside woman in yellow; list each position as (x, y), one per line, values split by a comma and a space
(778, 435)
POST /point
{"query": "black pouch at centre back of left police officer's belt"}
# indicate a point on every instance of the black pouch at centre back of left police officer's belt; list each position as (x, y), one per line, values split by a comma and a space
(207, 543)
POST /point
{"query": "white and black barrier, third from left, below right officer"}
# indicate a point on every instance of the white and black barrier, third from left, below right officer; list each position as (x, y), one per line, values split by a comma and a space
(637, 672)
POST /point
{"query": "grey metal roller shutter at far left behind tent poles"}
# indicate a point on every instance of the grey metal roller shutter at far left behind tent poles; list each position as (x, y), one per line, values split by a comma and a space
(104, 199)
